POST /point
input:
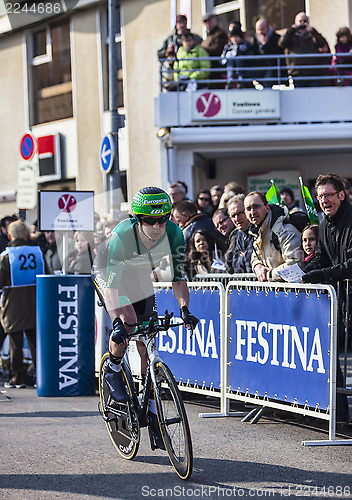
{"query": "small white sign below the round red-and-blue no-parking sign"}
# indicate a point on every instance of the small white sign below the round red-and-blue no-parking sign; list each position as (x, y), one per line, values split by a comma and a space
(27, 187)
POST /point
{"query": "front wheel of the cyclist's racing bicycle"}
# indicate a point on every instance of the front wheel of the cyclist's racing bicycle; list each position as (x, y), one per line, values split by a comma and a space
(173, 421)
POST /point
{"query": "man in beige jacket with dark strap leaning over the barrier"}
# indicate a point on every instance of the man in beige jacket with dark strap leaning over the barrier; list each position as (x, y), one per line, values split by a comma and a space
(276, 244)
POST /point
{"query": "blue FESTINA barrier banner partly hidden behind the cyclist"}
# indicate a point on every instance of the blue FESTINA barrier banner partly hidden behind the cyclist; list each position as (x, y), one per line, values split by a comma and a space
(194, 358)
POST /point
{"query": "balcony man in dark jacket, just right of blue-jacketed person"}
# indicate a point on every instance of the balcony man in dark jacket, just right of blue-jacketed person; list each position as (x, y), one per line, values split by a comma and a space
(266, 42)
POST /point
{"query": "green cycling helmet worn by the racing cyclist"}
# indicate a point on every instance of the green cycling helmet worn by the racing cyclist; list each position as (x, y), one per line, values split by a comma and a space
(151, 202)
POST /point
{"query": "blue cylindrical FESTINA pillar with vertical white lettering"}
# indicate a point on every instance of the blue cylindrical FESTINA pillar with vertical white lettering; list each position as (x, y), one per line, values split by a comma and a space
(65, 336)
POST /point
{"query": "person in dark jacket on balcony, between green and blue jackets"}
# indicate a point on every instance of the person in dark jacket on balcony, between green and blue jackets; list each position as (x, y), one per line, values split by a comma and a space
(214, 44)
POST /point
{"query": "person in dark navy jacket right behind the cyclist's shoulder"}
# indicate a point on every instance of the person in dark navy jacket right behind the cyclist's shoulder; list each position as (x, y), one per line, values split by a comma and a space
(189, 220)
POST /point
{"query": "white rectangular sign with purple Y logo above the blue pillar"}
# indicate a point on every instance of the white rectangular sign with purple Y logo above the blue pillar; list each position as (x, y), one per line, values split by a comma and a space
(66, 211)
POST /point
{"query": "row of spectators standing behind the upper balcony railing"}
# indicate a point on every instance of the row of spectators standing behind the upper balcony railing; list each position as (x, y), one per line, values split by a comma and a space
(221, 59)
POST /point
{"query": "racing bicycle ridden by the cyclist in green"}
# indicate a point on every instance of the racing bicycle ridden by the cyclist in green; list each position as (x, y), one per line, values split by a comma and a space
(125, 420)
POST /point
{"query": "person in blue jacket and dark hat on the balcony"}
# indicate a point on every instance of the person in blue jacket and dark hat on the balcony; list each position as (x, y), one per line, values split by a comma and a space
(237, 46)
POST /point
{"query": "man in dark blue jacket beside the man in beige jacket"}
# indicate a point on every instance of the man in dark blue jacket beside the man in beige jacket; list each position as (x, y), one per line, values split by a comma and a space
(239, 254)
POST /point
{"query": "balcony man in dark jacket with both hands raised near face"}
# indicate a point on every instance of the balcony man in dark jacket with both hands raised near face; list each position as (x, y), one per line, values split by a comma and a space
(302, 38)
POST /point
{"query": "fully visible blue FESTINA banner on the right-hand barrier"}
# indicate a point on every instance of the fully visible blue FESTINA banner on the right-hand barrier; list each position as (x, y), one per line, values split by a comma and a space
(280, 345)
